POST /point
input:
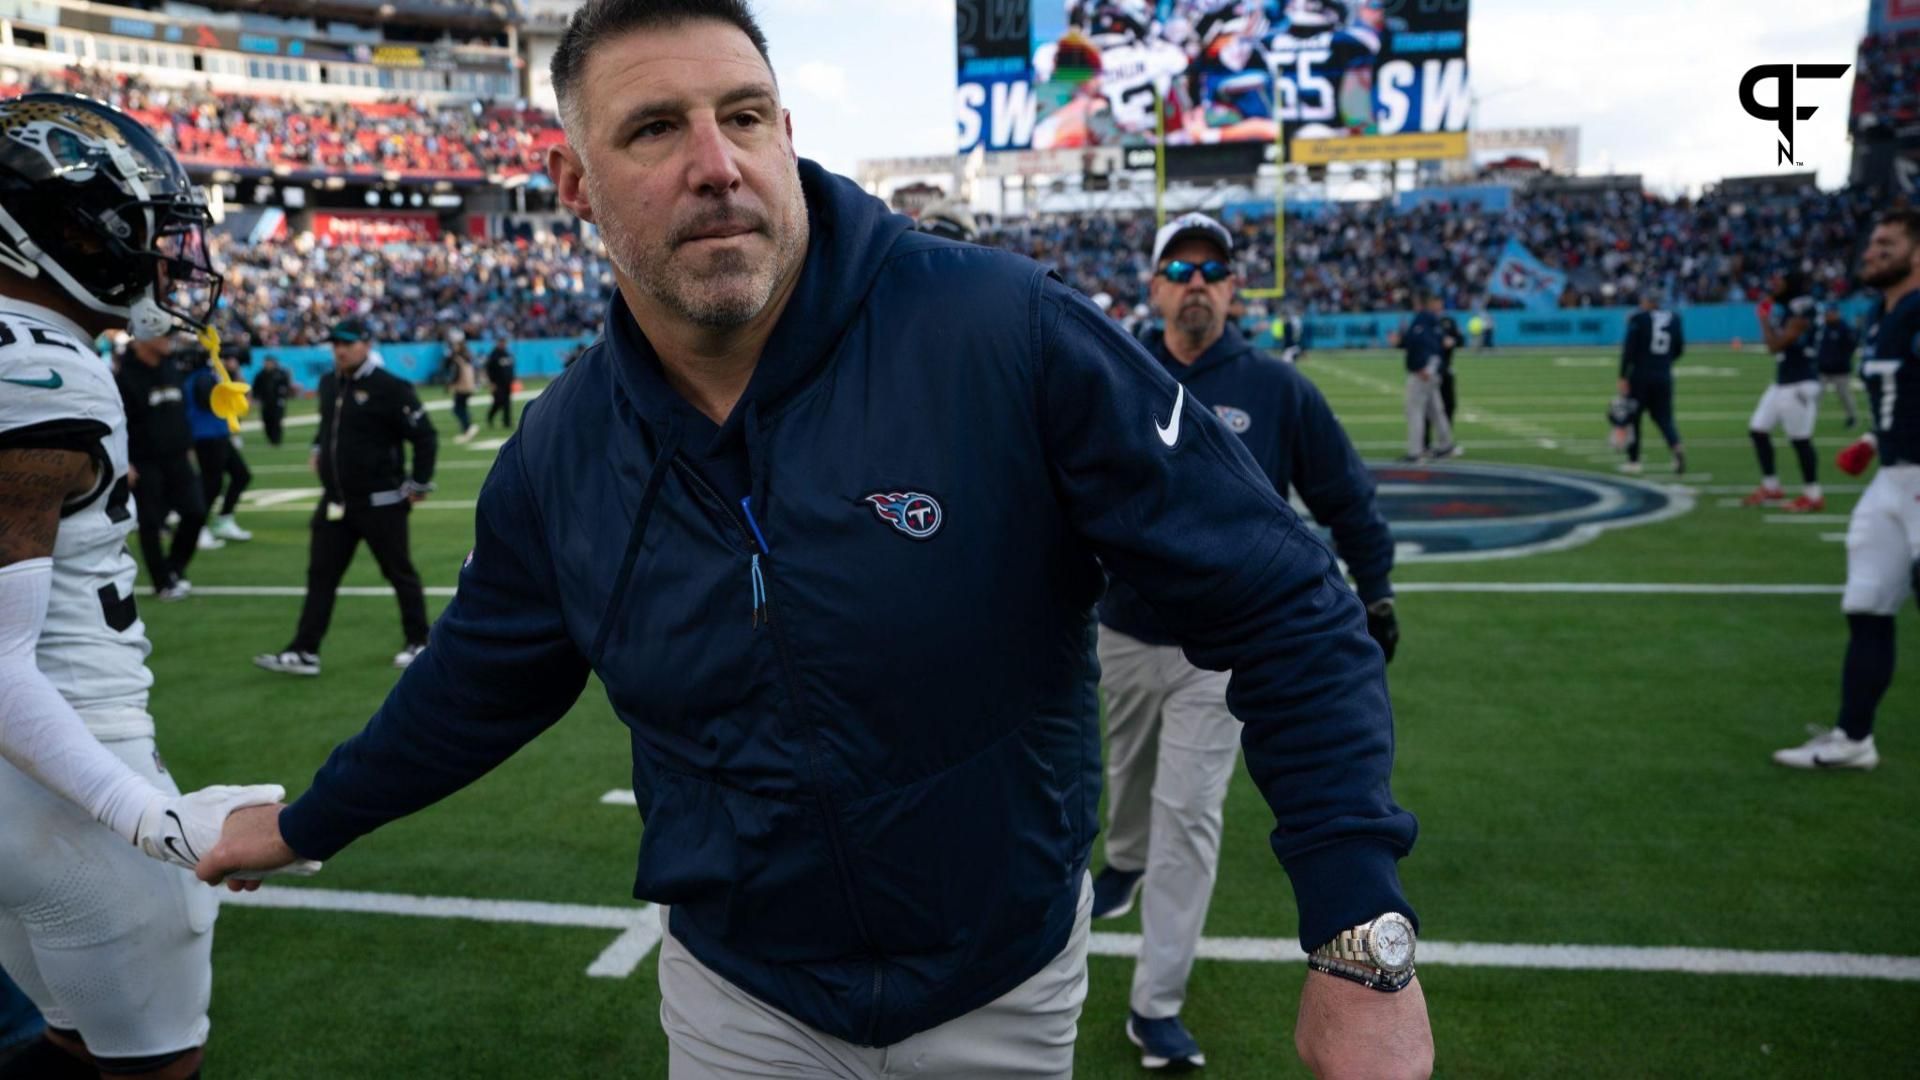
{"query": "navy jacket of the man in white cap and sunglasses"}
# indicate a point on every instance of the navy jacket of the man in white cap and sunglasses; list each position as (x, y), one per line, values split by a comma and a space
(1295, 439)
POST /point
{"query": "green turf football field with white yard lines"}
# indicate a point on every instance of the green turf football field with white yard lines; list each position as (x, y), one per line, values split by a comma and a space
(1589, 770)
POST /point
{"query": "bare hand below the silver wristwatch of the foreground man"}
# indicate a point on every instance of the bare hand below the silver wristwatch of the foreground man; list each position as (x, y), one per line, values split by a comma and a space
(1351, 1033)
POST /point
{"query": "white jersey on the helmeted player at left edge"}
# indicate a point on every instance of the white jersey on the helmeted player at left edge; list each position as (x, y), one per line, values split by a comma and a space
(55, 391)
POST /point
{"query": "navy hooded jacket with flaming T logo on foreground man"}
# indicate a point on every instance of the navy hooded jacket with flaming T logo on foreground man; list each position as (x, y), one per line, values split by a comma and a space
(863, 704)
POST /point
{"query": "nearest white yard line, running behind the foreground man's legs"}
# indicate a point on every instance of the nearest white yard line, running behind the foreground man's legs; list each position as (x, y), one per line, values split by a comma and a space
(640, 933)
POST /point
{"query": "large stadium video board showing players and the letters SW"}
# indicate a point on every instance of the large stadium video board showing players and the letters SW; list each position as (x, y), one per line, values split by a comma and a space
(1343, 80)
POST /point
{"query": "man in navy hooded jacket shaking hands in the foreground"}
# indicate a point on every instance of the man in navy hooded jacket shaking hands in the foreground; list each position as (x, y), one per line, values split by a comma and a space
(827, 510)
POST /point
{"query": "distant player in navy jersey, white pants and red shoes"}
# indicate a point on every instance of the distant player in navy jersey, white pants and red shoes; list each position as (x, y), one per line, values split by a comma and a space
(1794, 399)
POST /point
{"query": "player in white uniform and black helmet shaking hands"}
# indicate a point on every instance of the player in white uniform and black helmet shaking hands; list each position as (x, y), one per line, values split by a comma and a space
(101, 918)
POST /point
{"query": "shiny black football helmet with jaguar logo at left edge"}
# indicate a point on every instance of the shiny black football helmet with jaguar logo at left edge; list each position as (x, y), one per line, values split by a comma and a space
(93, 203)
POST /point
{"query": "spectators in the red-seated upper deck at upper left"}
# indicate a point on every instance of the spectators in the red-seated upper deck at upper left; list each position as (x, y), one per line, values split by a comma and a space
(239, 132)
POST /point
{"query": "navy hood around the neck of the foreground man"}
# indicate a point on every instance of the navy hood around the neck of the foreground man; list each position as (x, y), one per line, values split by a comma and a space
(850, 237)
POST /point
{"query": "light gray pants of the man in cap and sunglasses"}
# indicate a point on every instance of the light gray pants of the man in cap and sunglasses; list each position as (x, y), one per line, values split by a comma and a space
(1172, 747)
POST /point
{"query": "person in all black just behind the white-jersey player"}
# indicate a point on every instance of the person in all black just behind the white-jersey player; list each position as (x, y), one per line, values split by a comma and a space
(153, 381)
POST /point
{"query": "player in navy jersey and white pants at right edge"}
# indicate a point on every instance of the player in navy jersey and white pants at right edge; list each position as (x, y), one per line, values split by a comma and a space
(1884, 535)
